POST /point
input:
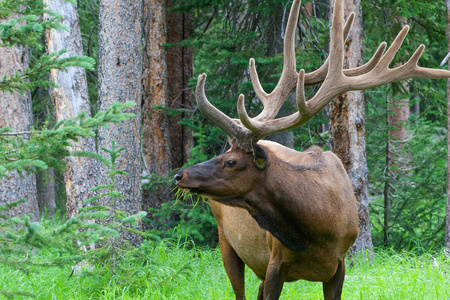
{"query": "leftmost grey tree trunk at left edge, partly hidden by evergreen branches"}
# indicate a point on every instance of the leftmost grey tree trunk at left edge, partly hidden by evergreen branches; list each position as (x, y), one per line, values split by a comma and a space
(16, 112)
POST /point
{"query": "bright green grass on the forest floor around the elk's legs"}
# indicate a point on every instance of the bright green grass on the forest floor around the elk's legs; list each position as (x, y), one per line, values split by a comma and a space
(165, 271)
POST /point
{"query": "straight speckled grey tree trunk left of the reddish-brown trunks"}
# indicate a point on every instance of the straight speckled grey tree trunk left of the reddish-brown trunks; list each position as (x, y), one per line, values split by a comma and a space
(120, 74)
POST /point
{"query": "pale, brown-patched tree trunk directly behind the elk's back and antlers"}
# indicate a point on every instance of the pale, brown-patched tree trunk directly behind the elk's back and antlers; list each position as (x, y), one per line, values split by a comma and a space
(348, 131)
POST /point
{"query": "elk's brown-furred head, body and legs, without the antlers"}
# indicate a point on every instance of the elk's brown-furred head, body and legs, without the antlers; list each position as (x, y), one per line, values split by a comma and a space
(294, 219)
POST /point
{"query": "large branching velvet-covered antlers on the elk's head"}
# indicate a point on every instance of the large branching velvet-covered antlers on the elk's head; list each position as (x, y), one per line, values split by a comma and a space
(335, 80)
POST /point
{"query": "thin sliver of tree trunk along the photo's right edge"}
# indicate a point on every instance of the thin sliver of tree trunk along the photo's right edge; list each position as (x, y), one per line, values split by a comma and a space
(447, 216)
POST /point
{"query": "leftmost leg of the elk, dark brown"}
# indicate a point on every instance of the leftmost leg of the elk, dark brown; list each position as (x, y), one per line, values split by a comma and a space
(234, 266)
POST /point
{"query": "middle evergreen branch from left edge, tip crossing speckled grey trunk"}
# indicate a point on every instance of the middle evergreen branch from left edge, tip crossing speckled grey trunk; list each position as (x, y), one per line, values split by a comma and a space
(45, 148)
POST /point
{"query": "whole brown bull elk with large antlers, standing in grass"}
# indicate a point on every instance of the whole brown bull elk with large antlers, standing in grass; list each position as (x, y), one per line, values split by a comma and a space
(289, 215)
